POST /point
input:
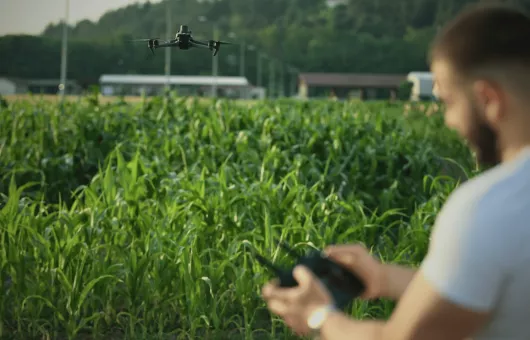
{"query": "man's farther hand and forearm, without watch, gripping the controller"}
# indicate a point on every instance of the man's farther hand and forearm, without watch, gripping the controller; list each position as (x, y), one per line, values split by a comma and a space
(381, 280)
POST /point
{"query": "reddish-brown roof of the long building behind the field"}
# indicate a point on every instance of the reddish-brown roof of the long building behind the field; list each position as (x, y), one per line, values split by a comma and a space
(352, 79)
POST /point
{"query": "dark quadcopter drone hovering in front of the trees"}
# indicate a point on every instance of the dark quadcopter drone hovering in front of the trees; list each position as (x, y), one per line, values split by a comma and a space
(184, 41)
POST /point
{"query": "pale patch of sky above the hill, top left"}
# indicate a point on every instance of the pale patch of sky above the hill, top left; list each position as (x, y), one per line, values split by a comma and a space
(32, 16)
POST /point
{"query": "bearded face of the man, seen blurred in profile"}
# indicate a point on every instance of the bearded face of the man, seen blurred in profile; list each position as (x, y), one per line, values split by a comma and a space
(464, 115)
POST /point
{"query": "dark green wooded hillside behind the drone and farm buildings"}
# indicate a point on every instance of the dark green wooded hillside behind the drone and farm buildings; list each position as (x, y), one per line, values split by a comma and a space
(364, 36)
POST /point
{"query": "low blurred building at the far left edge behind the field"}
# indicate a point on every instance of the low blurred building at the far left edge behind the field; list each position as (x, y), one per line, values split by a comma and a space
(9, 86)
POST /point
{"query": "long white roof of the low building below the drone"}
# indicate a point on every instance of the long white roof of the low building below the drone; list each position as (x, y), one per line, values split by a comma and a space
(141, 79)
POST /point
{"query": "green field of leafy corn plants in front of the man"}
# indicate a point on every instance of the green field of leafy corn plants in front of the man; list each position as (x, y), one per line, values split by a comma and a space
(138, 220)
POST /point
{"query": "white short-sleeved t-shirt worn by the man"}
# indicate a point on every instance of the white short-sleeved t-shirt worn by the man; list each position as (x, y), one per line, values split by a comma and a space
(479, 254)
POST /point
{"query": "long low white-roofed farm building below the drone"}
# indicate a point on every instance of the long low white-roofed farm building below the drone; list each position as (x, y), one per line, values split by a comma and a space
(129, 84)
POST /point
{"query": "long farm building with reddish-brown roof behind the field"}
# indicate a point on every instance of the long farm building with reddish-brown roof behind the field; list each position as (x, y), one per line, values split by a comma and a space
(349, 85)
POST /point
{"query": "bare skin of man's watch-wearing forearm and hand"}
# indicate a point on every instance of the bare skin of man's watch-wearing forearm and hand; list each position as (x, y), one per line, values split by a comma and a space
(422, 313)
